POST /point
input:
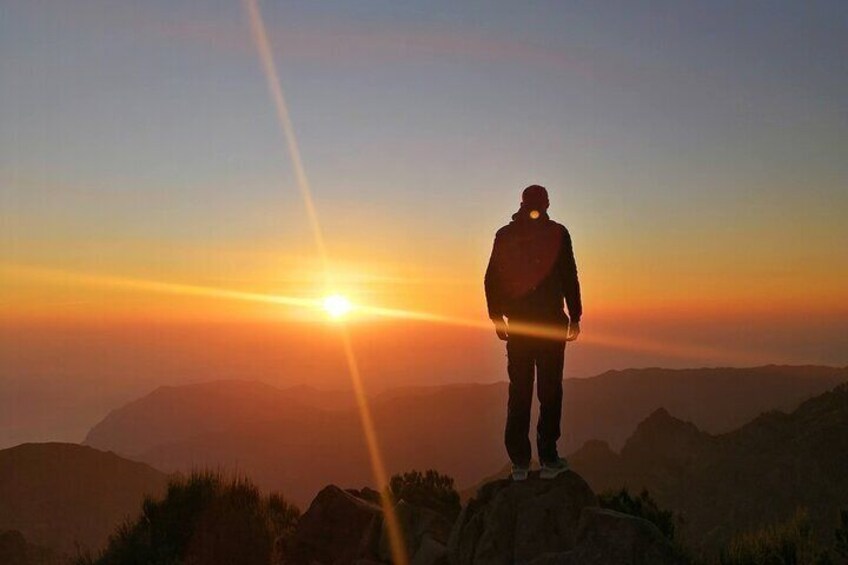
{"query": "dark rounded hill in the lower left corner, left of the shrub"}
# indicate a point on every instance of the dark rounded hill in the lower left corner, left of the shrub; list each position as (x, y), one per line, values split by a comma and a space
(59, 495)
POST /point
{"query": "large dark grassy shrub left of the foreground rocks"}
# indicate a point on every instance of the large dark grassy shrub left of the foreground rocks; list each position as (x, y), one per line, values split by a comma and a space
(204, 518)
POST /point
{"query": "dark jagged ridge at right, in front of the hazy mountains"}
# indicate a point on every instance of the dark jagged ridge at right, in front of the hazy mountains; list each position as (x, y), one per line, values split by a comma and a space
(755, 475)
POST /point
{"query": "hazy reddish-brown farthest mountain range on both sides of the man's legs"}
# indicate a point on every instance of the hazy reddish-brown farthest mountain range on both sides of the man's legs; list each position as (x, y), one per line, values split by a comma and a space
(298, 440)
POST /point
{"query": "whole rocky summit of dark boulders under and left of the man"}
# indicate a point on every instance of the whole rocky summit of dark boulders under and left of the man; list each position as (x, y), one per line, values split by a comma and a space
(533, 522)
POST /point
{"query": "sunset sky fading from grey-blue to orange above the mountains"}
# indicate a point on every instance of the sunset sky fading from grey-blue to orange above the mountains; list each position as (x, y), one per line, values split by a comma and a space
(696, 152)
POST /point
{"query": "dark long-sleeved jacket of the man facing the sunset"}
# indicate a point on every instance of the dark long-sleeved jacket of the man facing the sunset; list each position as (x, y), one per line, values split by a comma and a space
(531, 270)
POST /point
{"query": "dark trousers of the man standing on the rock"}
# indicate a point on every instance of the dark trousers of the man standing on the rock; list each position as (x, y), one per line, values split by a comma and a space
(546, 359)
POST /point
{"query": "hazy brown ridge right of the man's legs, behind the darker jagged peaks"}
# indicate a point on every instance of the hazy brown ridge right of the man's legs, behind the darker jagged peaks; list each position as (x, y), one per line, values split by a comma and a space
(609, 406)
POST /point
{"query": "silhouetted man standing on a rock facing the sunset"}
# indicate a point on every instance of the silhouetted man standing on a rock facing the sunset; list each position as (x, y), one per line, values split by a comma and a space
(531, 271)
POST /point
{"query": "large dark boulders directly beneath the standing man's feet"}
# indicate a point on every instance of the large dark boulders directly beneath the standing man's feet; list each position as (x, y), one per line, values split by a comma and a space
(553, 522)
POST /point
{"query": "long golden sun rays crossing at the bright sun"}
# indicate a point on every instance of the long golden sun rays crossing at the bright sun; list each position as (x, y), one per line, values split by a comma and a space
(337, 306)
